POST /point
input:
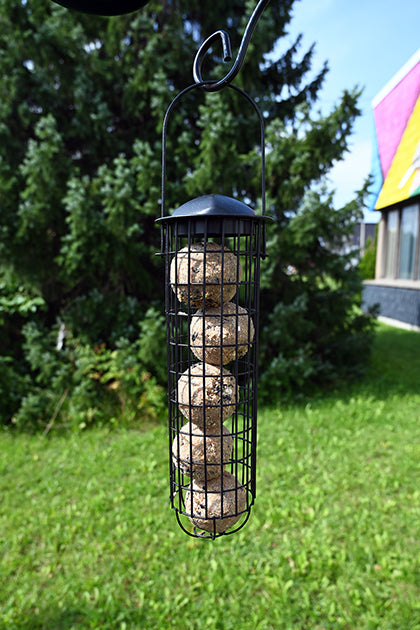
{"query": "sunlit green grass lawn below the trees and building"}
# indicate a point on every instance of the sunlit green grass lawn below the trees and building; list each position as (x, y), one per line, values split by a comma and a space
(88, 540)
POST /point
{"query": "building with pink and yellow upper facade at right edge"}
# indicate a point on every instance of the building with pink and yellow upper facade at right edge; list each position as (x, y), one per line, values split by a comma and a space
(396, 287)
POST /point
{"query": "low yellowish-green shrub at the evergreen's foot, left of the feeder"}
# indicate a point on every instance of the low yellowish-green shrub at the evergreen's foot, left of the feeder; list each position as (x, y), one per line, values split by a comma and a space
(74, 385)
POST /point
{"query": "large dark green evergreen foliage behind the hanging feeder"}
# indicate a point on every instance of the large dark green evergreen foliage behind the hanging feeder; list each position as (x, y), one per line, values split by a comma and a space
(81, 290)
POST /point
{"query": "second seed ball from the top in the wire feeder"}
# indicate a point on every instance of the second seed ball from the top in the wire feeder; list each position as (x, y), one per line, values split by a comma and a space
(222, 333)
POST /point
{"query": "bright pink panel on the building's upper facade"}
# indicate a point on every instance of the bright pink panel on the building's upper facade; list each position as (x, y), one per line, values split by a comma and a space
(392, 114)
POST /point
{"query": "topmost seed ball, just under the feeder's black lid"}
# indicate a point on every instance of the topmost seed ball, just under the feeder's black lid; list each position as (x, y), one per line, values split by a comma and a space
(204, 271)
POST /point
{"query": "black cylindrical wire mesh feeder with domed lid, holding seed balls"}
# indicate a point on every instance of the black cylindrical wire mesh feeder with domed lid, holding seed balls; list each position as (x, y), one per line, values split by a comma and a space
(212, 247)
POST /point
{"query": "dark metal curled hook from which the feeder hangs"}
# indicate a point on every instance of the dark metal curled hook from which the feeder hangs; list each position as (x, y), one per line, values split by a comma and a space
(214, 86)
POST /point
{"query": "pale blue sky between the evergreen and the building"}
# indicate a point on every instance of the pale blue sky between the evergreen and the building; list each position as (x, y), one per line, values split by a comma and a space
(365, 43)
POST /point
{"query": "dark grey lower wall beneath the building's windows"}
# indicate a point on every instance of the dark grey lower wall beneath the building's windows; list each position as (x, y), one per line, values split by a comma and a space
(394, 302)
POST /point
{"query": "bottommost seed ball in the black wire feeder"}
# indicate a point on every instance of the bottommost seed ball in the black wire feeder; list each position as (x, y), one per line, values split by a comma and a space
(217, 505)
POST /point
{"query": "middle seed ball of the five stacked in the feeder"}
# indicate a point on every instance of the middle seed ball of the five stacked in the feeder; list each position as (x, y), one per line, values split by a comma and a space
(206, 394)
